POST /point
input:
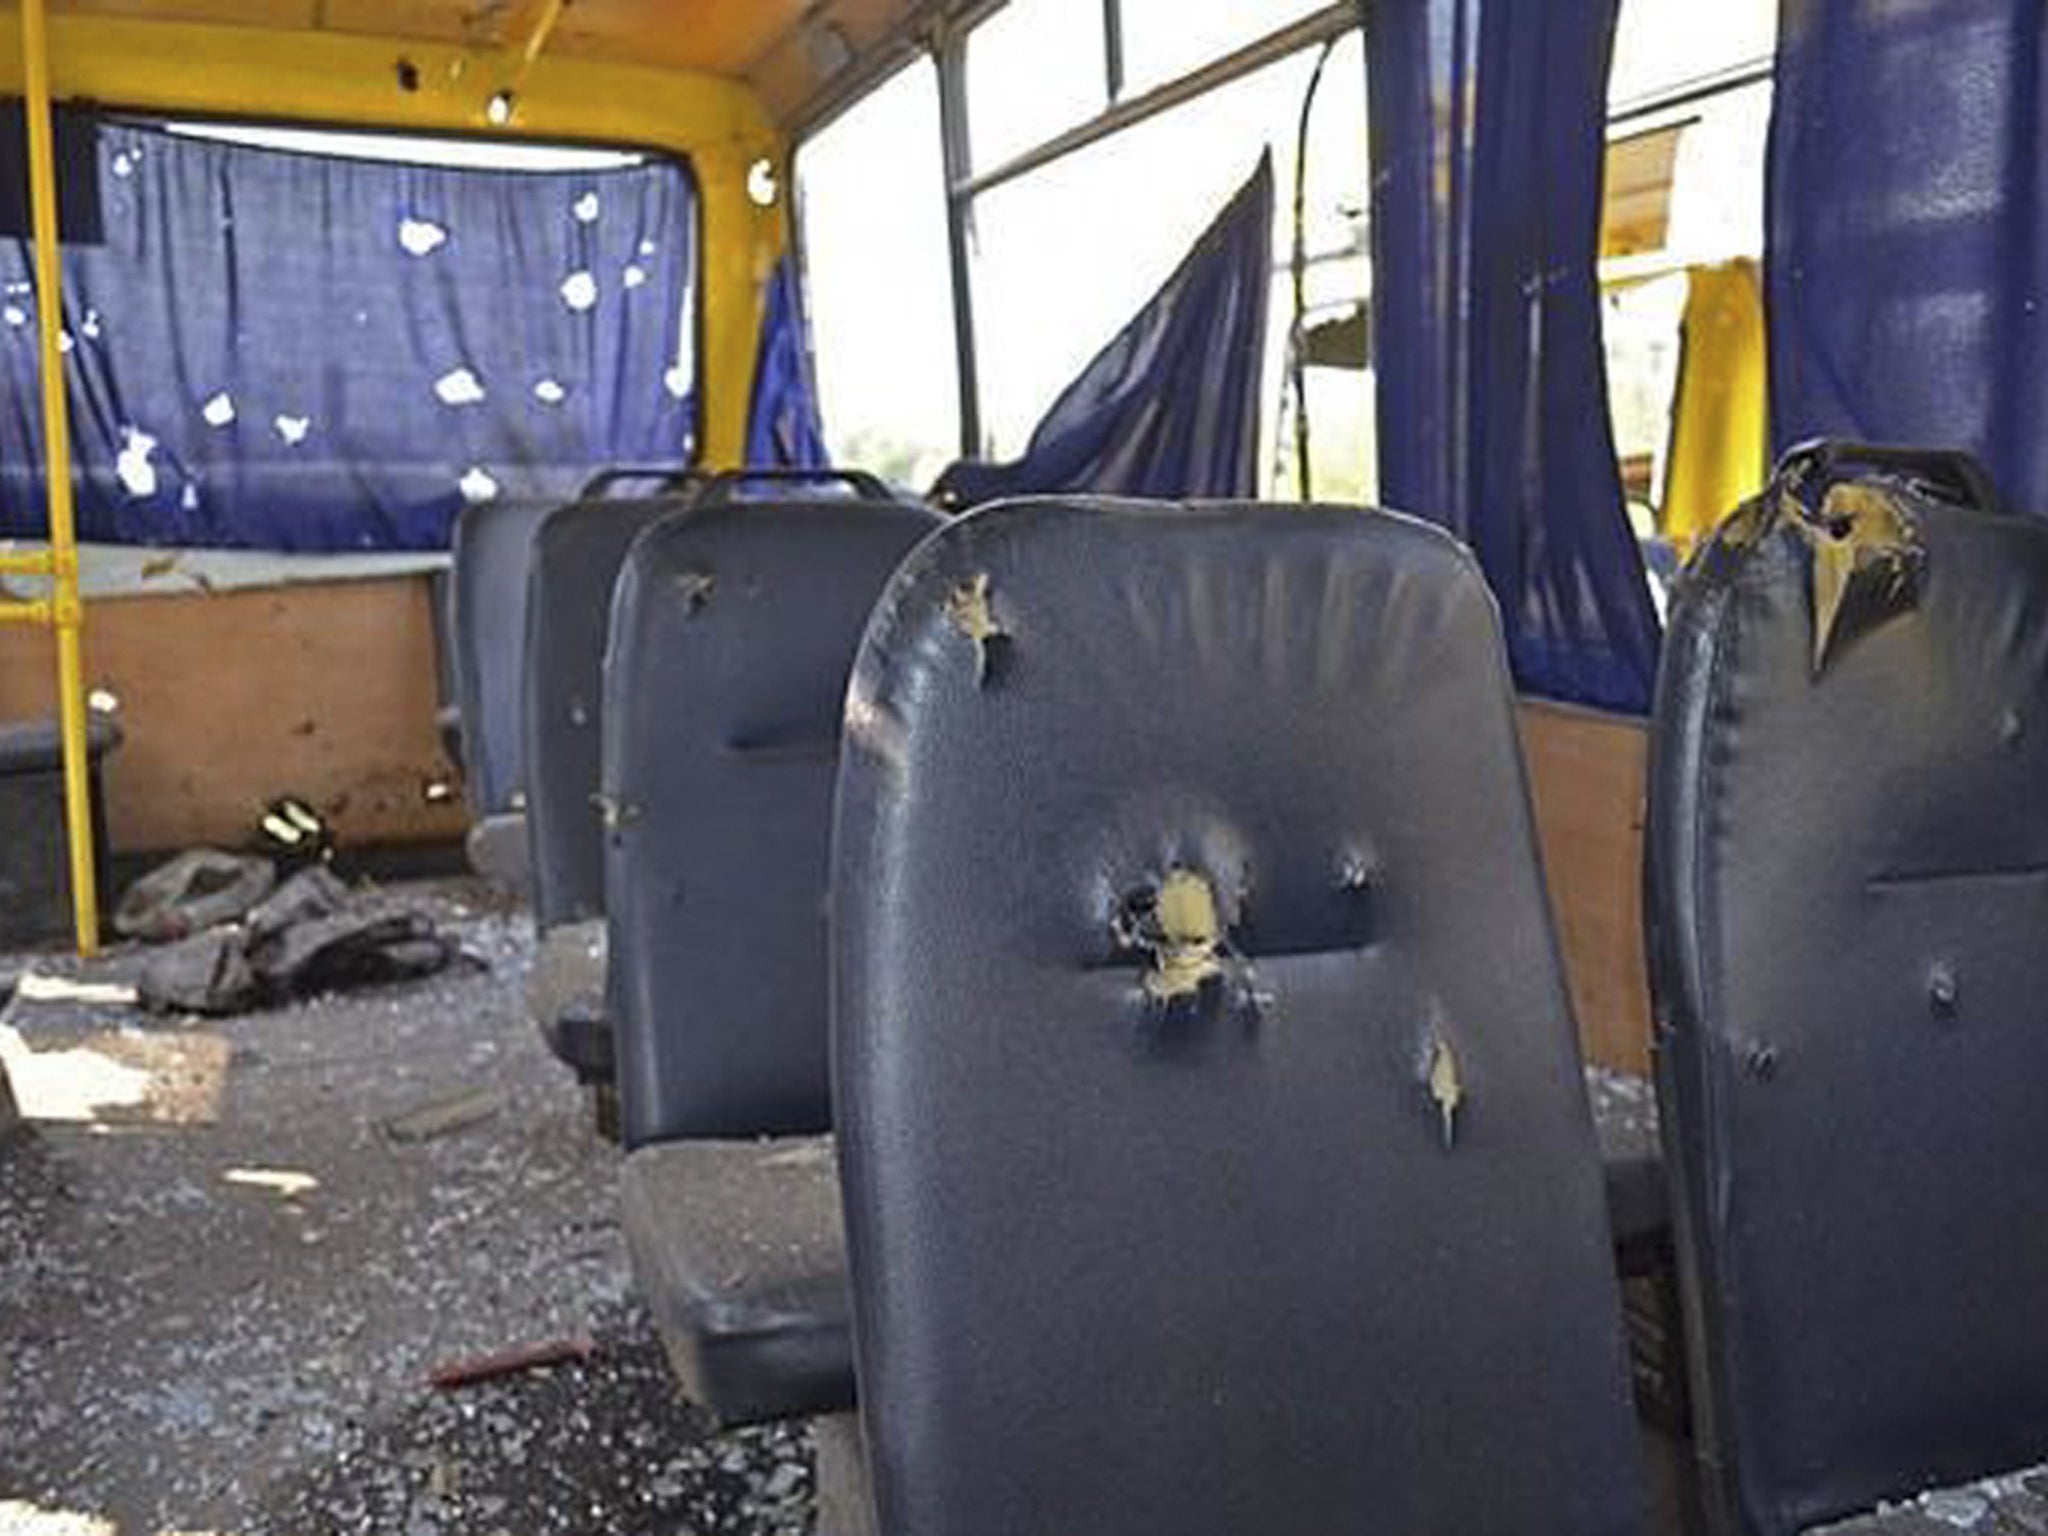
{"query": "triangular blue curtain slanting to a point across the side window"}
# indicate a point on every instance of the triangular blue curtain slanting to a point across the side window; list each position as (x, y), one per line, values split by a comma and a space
(1172, 404)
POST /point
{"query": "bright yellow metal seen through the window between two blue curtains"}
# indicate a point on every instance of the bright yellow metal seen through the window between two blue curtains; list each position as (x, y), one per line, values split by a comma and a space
(1721, 411)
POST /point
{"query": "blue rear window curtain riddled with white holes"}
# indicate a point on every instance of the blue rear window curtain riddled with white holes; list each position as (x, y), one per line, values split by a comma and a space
(308, 353)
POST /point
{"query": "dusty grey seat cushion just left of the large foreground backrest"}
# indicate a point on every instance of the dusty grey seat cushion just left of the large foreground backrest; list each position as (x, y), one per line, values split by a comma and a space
(740, 1254)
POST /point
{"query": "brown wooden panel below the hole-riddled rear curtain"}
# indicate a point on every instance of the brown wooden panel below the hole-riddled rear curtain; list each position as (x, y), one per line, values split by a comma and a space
(232, 699)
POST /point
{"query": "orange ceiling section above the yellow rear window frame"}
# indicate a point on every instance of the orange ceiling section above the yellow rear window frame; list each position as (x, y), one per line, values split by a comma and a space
(794, 52)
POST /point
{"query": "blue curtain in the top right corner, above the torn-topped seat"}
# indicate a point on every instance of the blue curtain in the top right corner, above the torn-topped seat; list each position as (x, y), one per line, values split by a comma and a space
(1908, 275)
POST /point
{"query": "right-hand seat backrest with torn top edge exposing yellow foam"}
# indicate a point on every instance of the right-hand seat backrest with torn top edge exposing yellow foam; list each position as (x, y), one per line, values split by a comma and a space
(1846, 892)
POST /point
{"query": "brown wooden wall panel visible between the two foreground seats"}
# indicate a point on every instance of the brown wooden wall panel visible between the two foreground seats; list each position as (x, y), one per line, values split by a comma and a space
(1586, 777)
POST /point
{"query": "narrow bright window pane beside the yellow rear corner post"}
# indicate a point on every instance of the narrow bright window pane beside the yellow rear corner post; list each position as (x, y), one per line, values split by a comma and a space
(871, 196)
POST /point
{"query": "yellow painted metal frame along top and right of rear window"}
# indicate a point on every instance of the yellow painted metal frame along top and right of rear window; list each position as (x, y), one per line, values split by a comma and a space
(353, 81)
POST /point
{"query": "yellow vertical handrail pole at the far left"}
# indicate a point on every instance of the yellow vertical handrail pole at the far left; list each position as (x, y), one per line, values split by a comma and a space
(67, 611)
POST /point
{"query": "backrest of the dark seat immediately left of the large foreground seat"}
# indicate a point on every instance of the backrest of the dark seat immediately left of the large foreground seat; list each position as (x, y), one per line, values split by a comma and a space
(734, 628)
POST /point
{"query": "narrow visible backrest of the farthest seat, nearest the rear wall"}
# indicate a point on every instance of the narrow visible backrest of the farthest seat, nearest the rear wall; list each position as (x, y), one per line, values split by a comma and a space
(488, 638)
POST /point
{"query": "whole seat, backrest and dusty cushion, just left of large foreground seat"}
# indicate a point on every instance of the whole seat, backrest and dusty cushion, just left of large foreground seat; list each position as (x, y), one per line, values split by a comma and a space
(734, 628)
